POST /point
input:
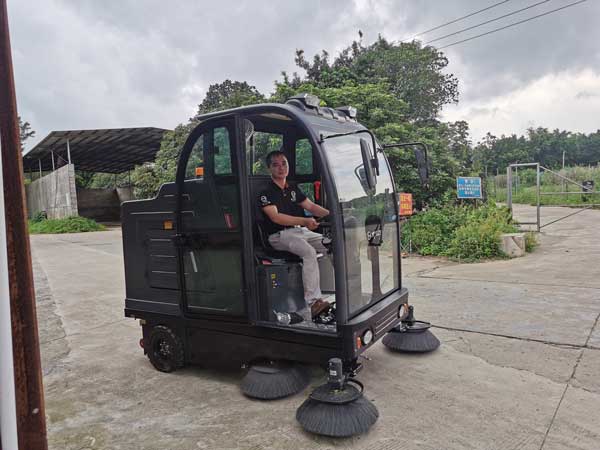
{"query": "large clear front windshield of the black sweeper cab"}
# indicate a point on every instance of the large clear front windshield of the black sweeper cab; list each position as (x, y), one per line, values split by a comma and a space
(369, 220)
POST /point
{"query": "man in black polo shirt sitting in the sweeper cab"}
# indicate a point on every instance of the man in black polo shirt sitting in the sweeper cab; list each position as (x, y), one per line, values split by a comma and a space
(290, 230)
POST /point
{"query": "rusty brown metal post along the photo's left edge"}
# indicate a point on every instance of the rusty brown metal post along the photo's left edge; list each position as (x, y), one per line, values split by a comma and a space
(28, 407)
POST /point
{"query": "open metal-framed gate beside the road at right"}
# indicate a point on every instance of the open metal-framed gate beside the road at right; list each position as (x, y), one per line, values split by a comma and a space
(586, 192)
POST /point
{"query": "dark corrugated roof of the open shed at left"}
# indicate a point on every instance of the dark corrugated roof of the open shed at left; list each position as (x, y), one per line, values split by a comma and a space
(113, 150)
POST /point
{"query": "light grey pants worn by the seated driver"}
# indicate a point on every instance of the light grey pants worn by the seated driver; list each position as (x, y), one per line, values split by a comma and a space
(306, 244)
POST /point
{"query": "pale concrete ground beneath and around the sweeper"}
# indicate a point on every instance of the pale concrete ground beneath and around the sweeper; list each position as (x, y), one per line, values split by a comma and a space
(518, 366)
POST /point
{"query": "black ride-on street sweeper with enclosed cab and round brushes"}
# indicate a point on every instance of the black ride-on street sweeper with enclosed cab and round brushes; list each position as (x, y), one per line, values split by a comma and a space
(208, 289)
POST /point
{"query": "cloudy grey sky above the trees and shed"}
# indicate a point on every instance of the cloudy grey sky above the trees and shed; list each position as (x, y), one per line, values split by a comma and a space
(86, 64)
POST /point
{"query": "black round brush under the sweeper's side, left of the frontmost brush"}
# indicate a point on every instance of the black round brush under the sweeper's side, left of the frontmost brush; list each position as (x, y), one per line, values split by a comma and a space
(274, 379)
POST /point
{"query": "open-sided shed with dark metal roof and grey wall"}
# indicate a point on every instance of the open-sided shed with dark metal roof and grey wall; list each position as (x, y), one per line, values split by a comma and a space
(60, 153)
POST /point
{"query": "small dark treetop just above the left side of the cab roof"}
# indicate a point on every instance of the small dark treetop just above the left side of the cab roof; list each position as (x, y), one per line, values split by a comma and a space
(229, 94)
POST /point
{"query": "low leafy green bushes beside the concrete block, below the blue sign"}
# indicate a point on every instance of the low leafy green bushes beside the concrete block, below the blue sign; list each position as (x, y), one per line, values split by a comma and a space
(460, 232)
